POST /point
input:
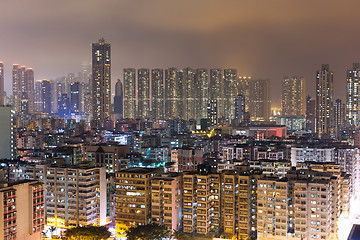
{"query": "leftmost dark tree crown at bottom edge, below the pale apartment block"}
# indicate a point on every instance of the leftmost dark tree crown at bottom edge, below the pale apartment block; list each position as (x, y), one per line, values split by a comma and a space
(87, 233)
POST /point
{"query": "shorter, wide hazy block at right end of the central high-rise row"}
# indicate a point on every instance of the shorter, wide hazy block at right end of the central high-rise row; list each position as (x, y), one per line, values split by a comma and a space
(259, 100)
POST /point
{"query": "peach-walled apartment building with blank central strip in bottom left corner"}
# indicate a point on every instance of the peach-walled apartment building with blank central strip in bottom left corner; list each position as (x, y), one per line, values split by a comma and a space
(22, 210)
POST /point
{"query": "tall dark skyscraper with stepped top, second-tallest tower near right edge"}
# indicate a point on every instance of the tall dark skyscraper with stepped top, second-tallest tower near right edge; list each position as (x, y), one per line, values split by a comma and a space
(324, 101)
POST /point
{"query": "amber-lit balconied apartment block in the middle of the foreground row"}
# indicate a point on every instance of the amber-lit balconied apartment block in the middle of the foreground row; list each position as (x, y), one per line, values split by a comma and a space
(223, 202)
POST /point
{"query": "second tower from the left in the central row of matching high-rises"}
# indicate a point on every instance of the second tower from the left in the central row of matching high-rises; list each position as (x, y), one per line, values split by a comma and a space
(143, 93)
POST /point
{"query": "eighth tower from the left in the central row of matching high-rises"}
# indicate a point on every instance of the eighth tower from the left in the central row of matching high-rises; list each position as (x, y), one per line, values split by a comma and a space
(230, 94)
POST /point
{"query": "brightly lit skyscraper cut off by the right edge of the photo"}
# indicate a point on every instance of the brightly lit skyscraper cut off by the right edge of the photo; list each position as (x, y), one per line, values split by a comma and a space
(353, 96)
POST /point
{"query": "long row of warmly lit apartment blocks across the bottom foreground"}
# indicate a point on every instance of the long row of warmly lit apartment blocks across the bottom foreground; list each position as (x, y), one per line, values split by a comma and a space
(302, 205)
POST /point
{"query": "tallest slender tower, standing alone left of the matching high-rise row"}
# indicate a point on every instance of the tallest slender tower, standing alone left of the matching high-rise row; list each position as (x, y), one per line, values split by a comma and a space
(101, 80)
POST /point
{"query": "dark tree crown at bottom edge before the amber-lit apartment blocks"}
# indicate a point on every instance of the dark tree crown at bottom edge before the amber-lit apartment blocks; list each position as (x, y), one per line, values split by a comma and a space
(148, 232)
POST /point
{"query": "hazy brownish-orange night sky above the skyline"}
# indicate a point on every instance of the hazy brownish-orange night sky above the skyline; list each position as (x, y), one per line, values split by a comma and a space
(261, 38)
